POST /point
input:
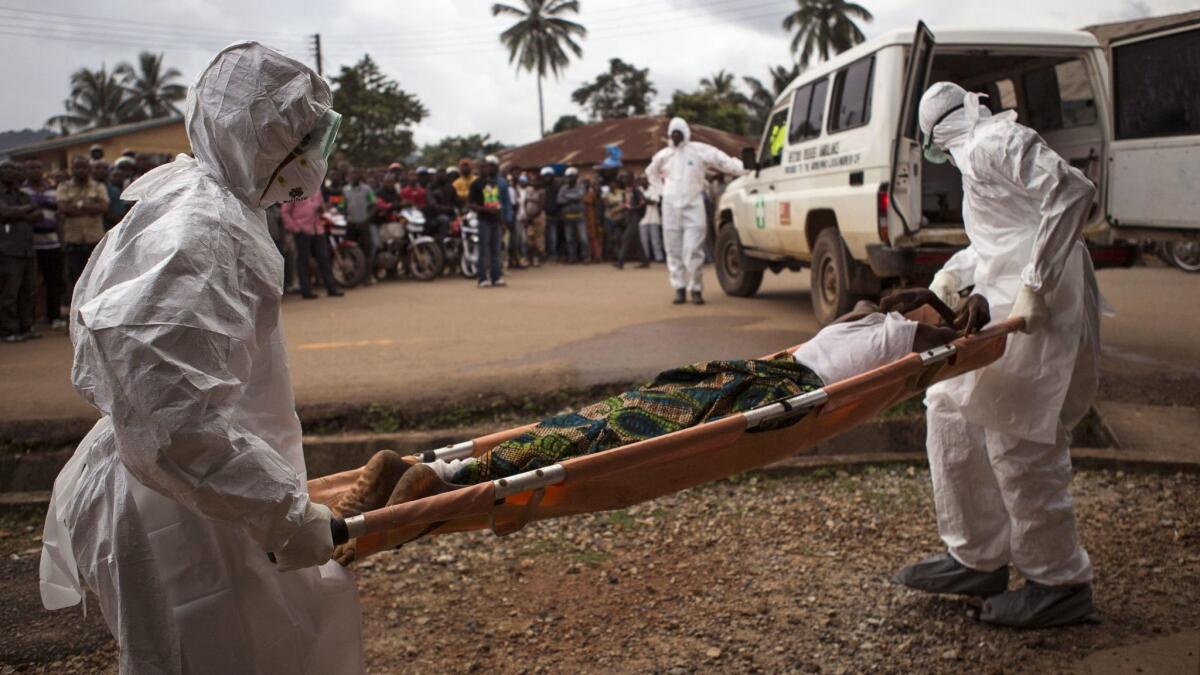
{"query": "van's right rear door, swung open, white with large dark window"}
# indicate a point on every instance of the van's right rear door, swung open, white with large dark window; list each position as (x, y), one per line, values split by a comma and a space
(1155, 156)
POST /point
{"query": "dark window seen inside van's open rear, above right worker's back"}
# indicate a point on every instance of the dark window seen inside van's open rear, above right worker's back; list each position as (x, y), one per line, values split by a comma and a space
(1060, 97)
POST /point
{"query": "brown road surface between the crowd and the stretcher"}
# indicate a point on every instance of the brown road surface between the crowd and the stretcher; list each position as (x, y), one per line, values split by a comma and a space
(573, 327)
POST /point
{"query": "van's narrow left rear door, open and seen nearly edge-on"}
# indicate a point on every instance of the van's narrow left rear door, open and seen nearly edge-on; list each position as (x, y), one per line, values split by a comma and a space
(904, 189)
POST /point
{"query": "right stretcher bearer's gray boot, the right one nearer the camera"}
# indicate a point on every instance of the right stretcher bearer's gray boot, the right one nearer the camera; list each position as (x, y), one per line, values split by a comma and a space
(1036, 606)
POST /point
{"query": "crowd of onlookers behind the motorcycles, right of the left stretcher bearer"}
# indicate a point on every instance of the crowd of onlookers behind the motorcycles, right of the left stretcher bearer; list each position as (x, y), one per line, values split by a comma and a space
(525, 218)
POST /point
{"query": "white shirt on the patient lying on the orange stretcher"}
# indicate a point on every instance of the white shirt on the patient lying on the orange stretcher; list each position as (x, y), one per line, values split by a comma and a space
(845, 350)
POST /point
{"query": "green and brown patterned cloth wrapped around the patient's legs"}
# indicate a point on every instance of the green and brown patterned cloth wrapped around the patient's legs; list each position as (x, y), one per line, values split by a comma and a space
(676, 399)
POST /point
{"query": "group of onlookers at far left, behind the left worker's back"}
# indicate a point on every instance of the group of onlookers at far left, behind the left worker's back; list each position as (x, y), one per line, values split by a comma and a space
(50, 225)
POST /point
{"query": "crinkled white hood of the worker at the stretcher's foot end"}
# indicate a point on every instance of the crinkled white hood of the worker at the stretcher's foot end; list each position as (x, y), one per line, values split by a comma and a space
(248, 110)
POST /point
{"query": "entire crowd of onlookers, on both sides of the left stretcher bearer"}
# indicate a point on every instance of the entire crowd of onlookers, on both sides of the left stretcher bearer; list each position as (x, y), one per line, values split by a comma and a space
(52, 222)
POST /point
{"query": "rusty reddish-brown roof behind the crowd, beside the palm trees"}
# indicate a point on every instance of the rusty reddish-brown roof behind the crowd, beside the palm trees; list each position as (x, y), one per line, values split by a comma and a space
(639, 139)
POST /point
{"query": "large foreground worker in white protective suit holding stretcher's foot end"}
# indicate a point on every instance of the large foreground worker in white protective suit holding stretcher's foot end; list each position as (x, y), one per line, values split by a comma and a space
(170, 506)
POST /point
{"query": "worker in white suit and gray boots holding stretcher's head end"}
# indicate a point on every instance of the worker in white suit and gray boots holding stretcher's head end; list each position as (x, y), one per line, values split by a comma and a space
(999, 438)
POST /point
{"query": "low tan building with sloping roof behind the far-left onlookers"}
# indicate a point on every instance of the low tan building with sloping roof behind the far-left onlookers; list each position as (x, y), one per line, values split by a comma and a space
(161, 136)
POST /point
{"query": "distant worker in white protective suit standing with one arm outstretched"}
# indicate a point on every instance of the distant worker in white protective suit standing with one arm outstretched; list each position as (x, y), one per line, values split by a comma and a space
(677, 172)
